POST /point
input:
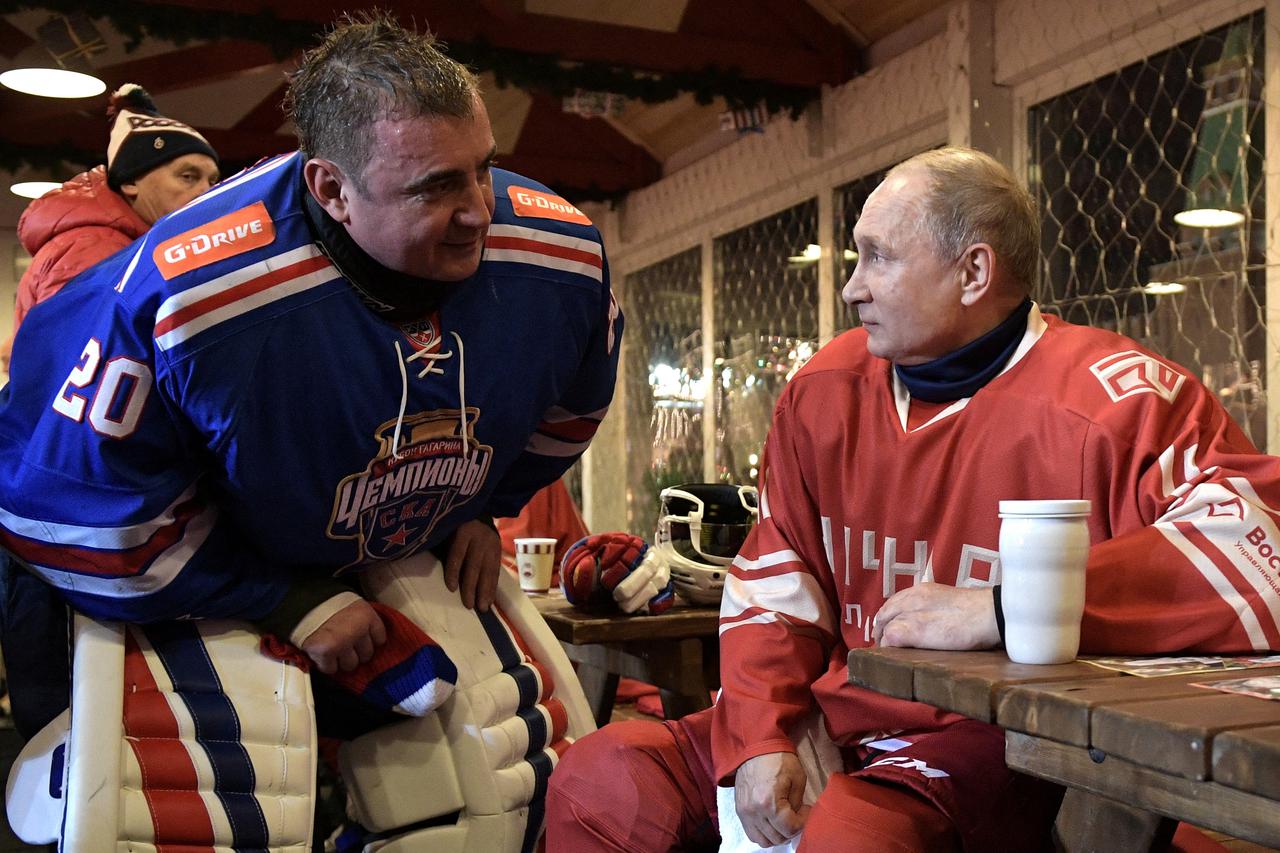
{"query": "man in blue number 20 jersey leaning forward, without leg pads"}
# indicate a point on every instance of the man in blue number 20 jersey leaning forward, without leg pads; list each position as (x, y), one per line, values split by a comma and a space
(344, 355)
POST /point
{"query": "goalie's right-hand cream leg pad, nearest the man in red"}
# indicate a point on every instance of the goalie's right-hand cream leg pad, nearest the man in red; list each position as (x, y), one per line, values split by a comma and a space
(516, 708)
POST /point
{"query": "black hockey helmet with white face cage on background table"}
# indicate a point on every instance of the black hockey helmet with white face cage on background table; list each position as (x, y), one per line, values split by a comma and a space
(701, 530)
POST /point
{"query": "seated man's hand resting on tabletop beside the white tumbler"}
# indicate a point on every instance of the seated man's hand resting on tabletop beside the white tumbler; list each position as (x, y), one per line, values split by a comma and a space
(939, 617)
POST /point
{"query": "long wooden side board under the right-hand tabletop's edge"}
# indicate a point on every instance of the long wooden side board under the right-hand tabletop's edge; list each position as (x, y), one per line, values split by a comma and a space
(1204, 804)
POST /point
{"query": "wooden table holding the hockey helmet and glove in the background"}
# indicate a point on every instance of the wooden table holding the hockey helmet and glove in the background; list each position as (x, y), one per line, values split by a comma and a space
(678, 653)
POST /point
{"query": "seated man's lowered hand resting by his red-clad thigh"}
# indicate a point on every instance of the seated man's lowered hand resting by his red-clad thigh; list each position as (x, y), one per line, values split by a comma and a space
(769, 791)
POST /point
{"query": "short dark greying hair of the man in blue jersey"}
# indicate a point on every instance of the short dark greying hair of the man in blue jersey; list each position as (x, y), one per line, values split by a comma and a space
(367, 70)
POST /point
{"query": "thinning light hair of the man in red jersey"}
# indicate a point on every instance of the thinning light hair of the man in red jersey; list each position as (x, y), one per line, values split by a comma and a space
(973, 199)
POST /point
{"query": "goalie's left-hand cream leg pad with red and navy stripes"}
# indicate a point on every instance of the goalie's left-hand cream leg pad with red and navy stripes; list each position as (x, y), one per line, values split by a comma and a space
(184, 735)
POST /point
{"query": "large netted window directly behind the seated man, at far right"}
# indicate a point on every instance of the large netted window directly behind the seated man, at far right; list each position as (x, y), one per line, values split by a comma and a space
(1117, 167)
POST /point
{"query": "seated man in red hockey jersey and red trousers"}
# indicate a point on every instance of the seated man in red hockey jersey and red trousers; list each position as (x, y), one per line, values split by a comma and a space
(886, 460)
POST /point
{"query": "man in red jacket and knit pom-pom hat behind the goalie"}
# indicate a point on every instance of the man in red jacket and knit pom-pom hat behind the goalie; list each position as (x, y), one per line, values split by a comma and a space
(154, 166)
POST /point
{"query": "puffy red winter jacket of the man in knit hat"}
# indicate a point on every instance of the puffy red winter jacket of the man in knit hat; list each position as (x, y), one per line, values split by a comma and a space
(68, 231)
